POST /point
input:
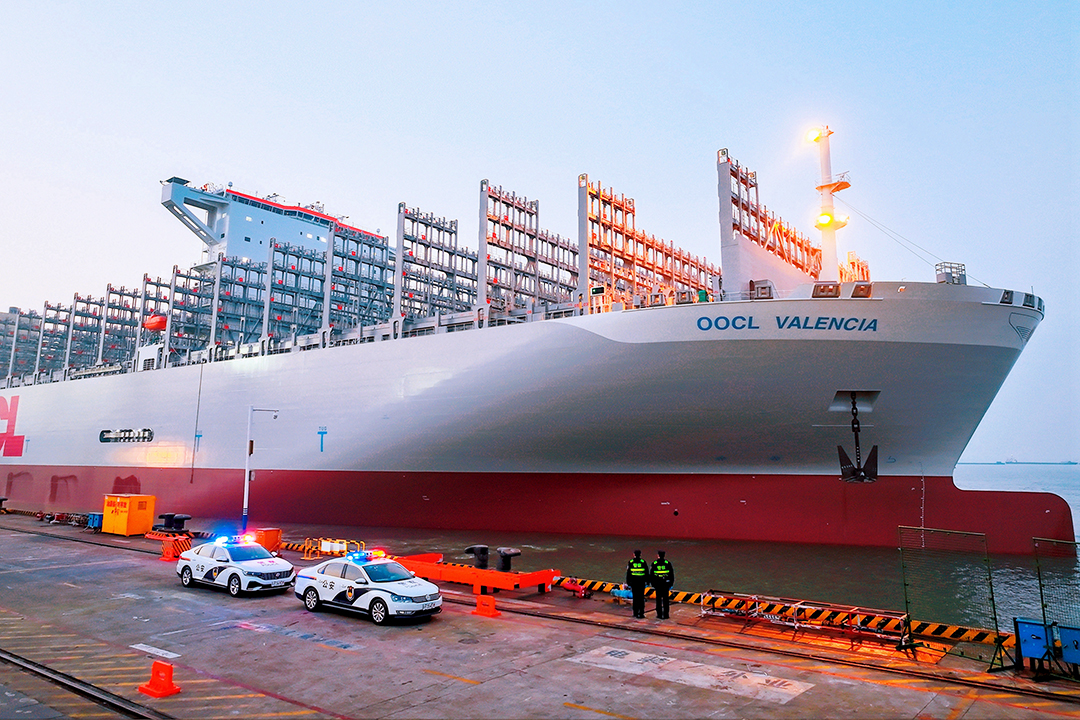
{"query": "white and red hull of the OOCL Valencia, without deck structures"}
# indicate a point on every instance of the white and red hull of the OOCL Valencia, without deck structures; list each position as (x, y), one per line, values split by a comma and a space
(727, 414)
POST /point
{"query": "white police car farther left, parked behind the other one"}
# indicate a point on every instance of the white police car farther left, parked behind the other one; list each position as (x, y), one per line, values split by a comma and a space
(237, 564)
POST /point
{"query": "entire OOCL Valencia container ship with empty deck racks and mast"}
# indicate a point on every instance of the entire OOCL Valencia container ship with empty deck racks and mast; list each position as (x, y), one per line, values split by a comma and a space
(310, 371)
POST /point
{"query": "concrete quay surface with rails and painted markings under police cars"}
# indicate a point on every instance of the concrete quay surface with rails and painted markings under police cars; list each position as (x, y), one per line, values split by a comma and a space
(103, 608)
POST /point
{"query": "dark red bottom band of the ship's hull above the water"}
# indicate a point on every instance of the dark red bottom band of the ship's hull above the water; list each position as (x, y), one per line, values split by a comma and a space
(763, 508)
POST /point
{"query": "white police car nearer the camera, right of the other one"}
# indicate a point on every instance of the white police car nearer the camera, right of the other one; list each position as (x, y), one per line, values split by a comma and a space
(371, 583)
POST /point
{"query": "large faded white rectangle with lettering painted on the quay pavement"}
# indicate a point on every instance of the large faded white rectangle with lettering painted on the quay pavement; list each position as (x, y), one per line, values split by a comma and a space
(757, 686)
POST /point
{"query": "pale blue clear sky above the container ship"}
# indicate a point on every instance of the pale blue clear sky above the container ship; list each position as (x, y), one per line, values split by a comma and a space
(957, 123)
